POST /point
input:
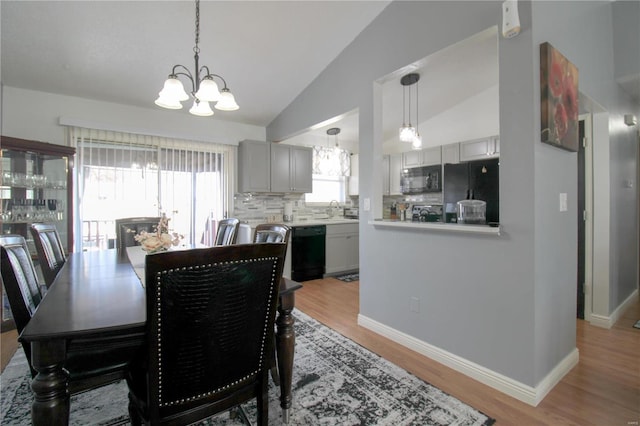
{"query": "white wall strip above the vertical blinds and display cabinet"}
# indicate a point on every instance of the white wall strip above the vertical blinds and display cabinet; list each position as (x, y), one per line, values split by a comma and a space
(34, 115)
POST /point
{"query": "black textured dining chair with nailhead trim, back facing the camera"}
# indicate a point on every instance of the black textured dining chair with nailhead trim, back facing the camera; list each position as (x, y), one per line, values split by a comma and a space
(210, 331)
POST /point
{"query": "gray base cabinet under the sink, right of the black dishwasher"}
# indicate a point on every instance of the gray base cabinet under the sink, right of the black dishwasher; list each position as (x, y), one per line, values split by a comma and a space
(342, 248)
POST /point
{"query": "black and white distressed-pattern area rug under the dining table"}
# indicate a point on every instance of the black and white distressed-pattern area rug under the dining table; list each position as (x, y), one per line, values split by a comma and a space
(335, 382)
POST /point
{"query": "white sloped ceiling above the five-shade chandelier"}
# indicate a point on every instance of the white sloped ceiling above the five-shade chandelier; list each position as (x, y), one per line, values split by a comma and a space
(122, 51)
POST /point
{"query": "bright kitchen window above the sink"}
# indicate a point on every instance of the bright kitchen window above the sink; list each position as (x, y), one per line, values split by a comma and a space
(331, 168)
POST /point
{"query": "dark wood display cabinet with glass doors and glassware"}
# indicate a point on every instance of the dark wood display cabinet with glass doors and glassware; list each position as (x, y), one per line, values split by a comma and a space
(36, 185)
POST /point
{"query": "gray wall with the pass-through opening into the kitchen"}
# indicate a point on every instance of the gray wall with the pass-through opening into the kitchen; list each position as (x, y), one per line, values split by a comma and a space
(476, 294)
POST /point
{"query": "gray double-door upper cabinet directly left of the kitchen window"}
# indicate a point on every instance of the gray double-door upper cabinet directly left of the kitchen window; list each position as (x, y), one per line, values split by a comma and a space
(291, 168)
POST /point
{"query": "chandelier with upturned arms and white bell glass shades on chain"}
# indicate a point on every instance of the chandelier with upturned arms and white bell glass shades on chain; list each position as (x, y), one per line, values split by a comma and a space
(204, 89)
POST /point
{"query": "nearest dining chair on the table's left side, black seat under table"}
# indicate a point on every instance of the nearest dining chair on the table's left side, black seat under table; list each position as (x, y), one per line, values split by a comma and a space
(90, 362)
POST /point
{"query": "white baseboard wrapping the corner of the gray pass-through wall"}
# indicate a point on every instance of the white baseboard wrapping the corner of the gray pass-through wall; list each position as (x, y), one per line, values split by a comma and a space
(525, 393)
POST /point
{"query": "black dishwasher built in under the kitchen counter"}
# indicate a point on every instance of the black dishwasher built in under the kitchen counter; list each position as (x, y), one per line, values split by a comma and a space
(307, 252)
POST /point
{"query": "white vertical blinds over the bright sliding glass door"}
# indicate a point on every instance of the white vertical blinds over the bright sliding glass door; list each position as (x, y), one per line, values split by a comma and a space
(129, 175)
